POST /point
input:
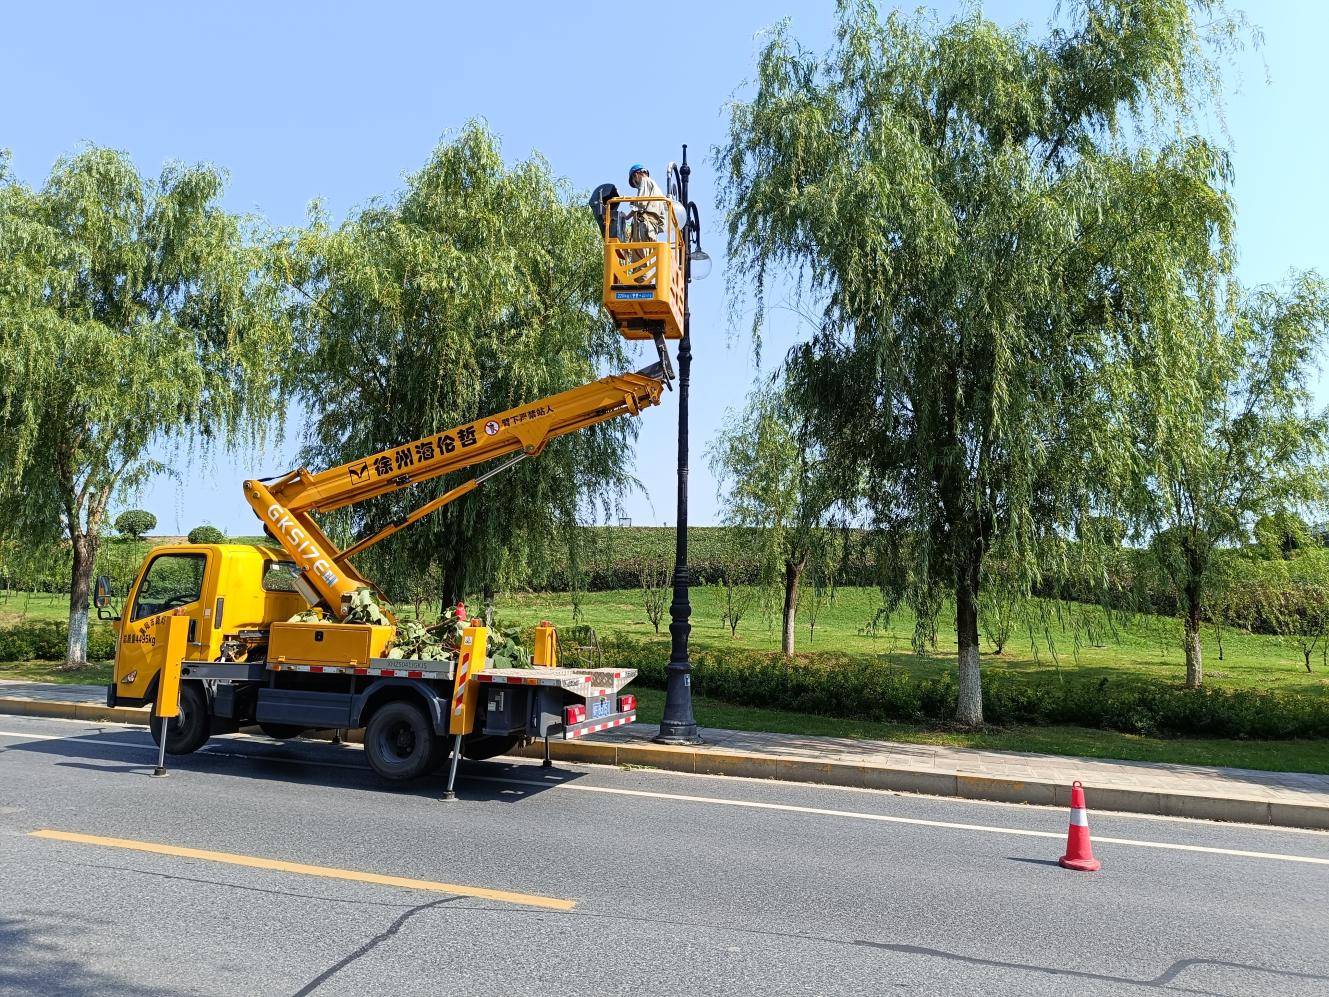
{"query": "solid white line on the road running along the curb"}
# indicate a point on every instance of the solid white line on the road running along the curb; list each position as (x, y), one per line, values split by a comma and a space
(749, 805)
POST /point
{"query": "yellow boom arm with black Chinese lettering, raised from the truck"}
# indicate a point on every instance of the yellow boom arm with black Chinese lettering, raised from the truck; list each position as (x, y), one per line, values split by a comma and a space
(288, 504)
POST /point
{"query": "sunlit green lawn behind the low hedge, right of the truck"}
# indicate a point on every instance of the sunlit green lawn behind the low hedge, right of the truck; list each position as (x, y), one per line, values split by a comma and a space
(1081, 645)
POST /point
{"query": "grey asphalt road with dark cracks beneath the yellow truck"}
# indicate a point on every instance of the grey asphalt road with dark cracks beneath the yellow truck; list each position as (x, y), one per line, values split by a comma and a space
(608, 882)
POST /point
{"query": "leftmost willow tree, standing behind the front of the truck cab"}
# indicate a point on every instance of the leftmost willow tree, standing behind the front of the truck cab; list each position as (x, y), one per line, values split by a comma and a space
(131, 320)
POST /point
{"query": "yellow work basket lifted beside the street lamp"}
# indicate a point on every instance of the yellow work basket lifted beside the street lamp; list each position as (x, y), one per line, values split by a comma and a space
(645, 278)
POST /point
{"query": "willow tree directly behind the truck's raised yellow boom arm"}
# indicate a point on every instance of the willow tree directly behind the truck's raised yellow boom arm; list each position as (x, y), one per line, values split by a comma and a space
(471, 292)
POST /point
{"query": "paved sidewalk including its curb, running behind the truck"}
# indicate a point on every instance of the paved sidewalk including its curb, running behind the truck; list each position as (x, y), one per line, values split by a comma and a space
(1288, 800)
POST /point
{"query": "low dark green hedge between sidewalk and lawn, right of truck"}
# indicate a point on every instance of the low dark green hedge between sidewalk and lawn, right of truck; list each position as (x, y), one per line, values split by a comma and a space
(863, 691)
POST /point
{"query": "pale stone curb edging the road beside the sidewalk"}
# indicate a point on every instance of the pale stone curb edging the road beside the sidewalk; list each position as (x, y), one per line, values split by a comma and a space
(709, 761)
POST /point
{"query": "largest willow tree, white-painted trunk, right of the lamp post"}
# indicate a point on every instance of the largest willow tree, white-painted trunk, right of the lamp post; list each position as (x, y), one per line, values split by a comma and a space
(1001, 233)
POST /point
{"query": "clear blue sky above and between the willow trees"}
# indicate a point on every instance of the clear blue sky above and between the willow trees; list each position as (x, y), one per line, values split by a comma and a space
(338, 102)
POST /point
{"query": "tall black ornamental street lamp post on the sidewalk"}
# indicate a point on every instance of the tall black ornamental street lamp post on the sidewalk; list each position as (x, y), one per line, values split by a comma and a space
(678, 726)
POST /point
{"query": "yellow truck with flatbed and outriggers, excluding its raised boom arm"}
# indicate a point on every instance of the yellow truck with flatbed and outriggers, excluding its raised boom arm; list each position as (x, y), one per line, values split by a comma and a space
(245, 663)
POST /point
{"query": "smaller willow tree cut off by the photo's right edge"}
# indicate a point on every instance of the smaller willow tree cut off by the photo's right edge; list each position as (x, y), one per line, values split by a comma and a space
(1237, 450)
